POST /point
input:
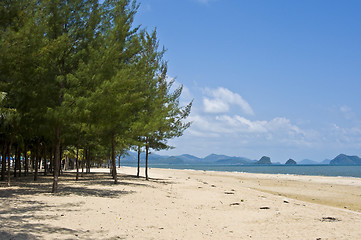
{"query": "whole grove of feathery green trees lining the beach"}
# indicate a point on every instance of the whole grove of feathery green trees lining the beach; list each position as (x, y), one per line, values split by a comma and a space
(77, 77)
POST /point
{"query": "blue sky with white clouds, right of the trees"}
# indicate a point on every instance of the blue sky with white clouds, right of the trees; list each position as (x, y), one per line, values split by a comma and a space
(273, 78)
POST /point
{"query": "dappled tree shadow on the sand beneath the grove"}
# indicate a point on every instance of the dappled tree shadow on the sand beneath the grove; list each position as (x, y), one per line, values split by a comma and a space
(24, 219)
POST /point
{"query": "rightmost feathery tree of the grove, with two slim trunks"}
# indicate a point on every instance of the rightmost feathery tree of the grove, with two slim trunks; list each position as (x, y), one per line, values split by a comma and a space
(161, 117)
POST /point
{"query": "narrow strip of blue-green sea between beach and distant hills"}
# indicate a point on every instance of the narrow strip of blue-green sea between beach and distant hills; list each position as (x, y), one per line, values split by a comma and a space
(314, 170)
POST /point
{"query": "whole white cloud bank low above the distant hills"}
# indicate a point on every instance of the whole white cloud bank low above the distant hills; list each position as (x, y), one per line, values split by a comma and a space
(218, 128)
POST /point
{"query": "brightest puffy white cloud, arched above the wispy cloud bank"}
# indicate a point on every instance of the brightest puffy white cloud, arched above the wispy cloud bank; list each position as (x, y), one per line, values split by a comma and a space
(220, 100)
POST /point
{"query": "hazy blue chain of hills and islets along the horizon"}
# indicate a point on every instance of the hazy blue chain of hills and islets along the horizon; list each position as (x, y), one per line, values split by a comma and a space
(215, 159)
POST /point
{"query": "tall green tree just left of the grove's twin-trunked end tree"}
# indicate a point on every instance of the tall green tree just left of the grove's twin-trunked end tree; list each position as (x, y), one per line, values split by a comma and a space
(116, 95)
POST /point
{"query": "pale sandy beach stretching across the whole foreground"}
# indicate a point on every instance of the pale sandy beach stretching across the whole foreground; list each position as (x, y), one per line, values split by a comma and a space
(182, 204)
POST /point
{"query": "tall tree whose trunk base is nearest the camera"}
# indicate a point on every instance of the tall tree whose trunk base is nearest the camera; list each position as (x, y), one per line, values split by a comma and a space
(66, 30)
